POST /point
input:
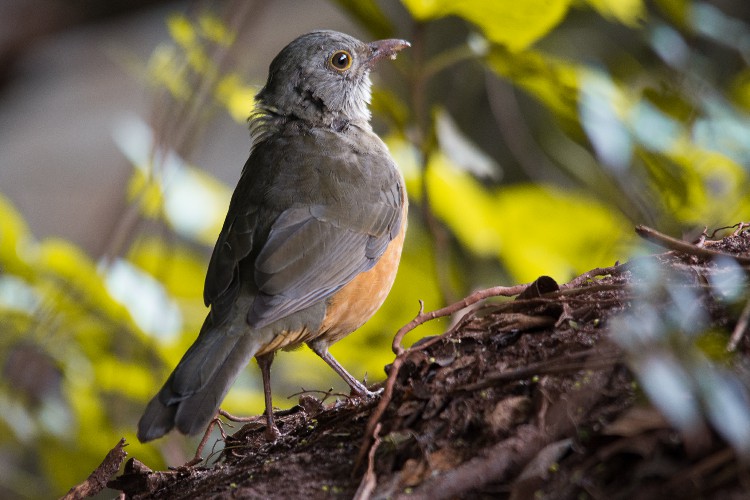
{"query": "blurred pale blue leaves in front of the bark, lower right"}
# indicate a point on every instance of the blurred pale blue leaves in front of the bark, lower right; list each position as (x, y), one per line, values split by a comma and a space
(682, 363)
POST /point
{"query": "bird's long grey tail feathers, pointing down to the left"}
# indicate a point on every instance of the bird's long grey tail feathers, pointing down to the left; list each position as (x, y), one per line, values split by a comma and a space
(193, 392)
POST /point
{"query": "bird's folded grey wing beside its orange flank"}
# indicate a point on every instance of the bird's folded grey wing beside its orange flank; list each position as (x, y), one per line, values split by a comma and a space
(312, 252)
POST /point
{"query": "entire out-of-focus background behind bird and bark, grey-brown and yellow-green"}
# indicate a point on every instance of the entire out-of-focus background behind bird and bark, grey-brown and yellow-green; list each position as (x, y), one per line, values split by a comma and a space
(533, 136)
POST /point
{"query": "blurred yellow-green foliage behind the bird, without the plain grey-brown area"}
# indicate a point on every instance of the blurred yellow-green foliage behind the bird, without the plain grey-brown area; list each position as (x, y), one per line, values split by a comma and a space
(596, 115)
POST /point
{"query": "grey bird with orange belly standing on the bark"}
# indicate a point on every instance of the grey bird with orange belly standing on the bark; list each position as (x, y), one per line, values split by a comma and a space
(313, 235)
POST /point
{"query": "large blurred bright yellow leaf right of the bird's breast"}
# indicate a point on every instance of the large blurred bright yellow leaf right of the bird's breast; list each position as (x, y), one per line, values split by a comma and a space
(527, 226)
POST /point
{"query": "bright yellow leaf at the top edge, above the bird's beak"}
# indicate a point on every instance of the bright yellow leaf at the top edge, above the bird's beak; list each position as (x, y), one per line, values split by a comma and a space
(516, 25)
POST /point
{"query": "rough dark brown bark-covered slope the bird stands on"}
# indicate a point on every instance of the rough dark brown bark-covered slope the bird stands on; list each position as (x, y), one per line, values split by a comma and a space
(523, 396)
